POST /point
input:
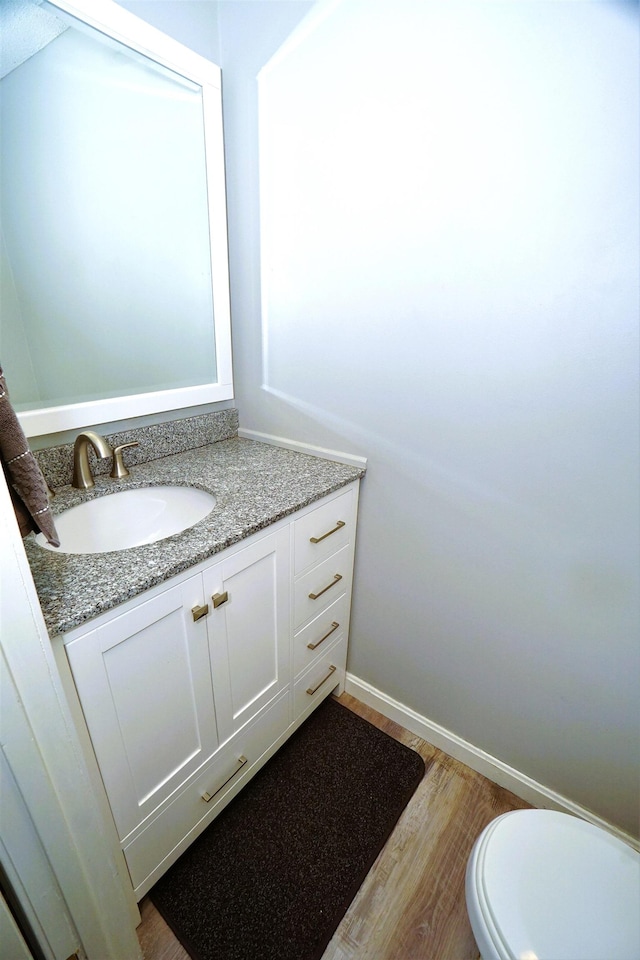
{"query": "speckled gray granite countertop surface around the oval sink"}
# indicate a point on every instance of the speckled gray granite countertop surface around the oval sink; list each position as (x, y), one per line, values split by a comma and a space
(255, 484)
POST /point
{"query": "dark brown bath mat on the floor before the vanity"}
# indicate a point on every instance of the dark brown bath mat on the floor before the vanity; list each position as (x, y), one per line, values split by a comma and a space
(273, 875)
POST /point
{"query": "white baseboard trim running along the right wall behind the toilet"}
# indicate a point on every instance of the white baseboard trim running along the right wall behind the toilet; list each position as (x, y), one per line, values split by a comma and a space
(490, 767)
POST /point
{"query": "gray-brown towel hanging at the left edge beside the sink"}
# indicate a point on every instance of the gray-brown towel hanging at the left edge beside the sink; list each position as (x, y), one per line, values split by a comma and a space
(26, 484)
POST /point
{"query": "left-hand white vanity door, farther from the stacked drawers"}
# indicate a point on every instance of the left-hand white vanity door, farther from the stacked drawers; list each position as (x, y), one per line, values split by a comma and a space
(144, 683)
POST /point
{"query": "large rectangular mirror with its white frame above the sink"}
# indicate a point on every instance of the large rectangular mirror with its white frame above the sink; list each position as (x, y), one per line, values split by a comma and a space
(114, 264)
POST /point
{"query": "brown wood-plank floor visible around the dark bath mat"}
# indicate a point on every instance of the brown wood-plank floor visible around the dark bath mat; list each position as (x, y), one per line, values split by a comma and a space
(412, 904)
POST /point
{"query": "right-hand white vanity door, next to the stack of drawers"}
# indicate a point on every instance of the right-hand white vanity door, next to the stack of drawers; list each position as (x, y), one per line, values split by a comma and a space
(249, 633)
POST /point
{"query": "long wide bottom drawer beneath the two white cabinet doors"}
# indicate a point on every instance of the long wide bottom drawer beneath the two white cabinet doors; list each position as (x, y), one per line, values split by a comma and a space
(165, 838)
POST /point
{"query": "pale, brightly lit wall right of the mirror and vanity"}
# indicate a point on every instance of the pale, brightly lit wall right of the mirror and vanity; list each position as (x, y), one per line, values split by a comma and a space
(446, 282)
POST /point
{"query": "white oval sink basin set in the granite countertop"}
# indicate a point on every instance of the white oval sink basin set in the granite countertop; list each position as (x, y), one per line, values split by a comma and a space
(129, 518)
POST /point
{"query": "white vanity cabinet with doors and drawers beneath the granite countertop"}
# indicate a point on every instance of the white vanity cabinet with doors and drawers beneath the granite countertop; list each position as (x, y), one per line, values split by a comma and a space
(187, 690)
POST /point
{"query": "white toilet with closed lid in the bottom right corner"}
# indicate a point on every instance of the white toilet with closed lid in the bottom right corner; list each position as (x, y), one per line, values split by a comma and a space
(543, 885)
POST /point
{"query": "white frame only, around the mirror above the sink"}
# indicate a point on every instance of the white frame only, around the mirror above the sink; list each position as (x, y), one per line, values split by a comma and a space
(116, 22)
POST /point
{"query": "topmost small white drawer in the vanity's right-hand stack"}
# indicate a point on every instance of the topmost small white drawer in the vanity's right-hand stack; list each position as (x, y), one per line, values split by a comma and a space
(324, 531)
